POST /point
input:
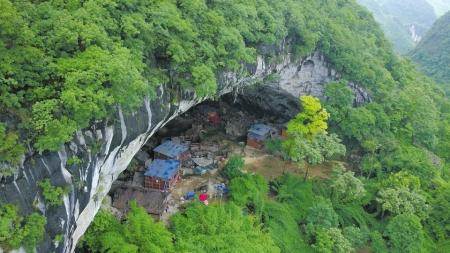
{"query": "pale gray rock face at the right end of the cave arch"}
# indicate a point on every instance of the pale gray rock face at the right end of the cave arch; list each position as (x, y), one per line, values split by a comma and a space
(309, 76)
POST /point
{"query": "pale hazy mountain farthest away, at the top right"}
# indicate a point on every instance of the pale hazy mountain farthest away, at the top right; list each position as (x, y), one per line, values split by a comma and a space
(404, 23)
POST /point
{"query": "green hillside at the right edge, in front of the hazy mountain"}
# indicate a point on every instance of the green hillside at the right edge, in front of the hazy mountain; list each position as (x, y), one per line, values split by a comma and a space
(433, 52)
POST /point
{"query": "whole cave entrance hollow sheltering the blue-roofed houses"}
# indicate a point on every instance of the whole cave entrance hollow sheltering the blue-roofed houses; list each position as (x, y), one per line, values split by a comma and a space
(211, 132)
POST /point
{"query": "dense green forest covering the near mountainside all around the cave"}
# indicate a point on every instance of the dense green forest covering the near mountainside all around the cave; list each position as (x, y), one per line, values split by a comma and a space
(67, 64)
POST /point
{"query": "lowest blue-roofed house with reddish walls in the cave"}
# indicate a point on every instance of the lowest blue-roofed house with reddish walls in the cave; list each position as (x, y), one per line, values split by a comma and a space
(162, 174)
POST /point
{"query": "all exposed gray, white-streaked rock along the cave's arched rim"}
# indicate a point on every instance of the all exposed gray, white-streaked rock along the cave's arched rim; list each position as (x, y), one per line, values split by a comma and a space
(107, 148)
